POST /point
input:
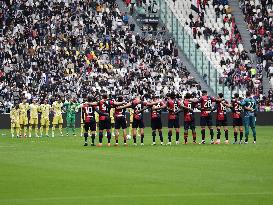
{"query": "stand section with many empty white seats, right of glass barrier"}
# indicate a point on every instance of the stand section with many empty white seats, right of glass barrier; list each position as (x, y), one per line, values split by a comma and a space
(213, 28)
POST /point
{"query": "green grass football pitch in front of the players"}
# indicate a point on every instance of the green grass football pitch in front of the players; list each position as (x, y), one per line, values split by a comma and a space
(61, 171)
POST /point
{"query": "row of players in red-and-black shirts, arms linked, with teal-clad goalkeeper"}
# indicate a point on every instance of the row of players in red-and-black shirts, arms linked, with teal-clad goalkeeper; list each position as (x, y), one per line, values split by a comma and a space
(206, 104)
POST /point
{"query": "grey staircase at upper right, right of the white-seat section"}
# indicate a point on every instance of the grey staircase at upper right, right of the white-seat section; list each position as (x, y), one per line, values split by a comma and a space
(242, 27)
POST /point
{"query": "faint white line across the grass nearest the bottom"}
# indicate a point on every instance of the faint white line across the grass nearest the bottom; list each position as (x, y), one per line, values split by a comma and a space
(139, 196)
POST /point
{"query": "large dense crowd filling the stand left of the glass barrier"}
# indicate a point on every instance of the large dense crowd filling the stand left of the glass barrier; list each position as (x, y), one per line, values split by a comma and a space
(76, 47)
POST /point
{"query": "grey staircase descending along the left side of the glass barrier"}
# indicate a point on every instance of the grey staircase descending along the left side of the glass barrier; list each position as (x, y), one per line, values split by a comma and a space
(190, 67)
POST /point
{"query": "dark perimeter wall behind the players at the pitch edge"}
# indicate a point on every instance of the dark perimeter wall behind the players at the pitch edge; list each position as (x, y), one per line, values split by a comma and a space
(263, 119)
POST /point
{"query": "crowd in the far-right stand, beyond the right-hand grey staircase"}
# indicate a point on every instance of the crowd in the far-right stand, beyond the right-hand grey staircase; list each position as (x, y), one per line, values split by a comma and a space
(259, 16)
